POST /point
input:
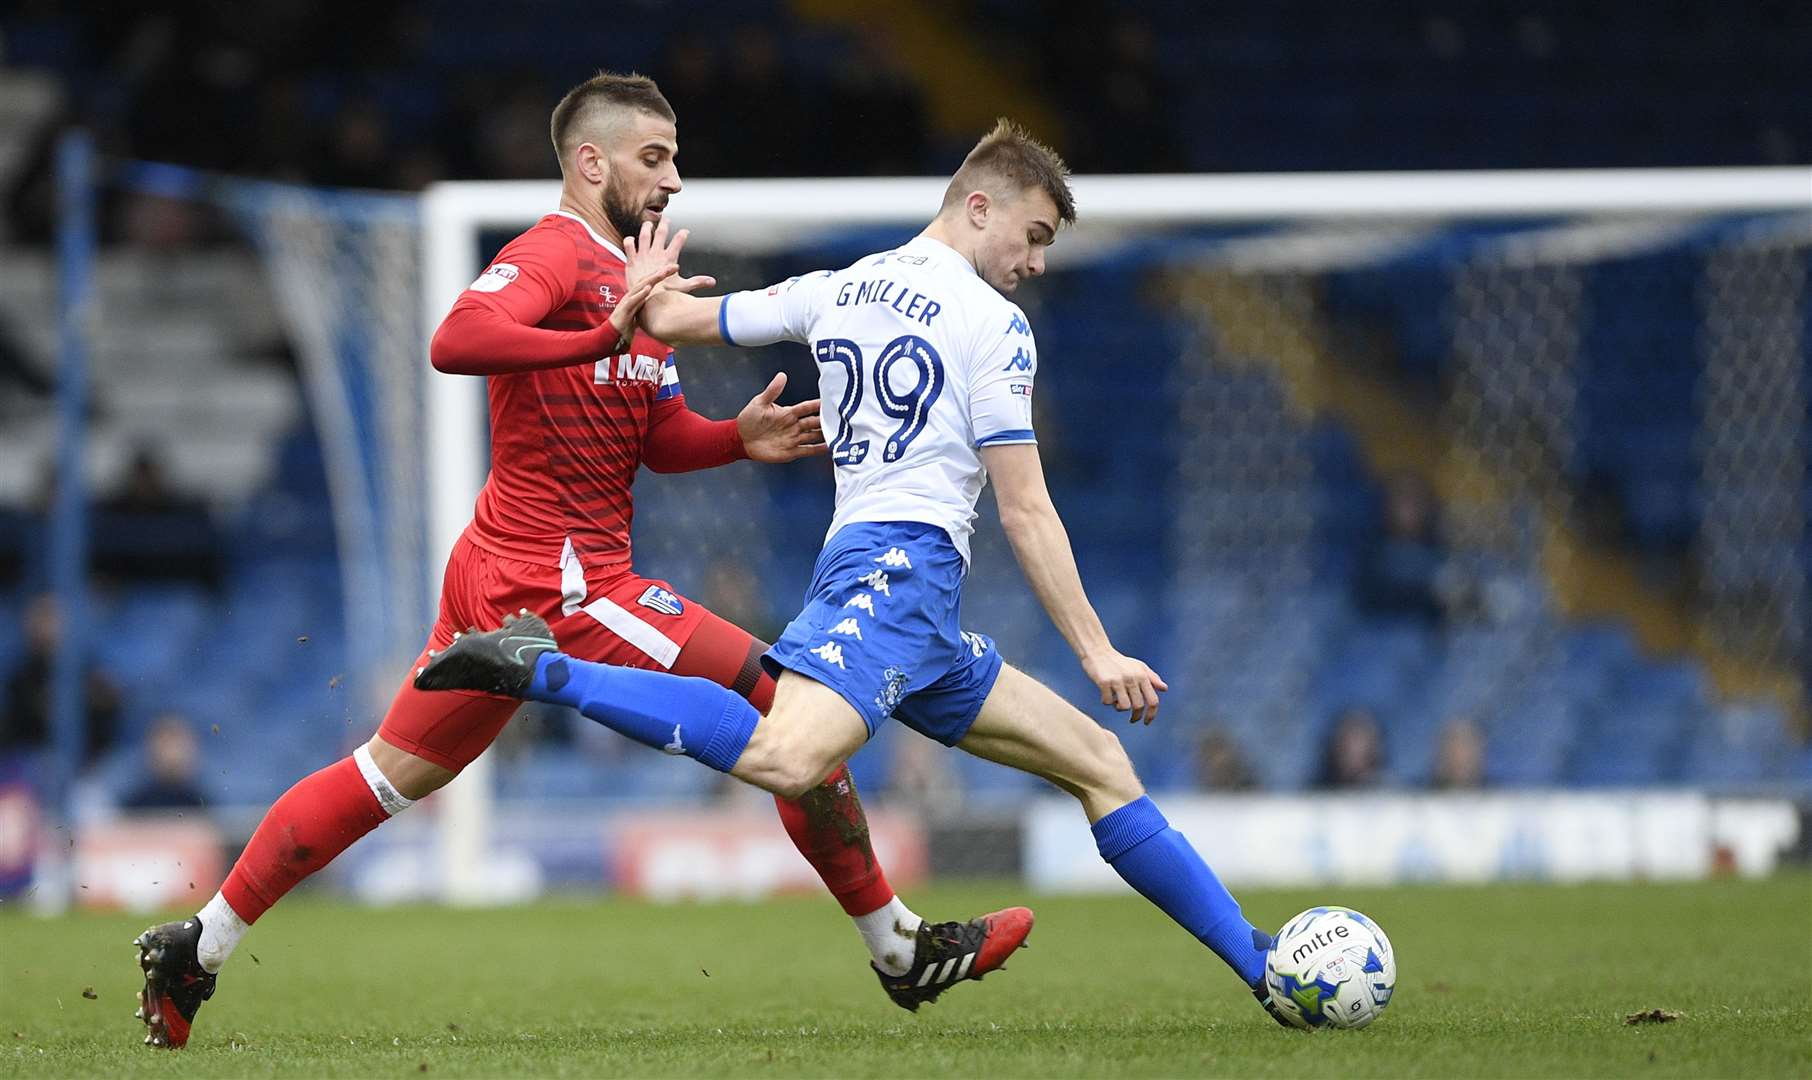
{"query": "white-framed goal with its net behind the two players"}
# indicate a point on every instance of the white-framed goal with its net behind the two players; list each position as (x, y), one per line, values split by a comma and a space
(1510, 456)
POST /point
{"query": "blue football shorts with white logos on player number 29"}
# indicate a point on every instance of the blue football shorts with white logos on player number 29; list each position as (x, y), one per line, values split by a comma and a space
(883, 628)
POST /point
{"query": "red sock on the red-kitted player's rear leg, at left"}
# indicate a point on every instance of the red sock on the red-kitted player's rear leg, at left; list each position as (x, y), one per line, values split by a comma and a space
(304, 831)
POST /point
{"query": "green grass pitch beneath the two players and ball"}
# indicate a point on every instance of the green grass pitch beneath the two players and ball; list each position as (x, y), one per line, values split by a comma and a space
(1507, 981)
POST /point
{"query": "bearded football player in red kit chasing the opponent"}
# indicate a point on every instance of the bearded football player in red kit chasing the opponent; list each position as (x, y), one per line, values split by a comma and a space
(581, 400)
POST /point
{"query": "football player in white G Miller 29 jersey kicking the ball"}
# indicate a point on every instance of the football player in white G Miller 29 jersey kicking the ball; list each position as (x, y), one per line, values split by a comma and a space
(932, 371)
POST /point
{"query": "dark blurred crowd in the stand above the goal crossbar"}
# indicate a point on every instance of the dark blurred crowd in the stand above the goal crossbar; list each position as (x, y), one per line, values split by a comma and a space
(401, 93)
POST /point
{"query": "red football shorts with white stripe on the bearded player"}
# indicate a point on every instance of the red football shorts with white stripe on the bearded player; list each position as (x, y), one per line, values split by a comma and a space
(612, 617)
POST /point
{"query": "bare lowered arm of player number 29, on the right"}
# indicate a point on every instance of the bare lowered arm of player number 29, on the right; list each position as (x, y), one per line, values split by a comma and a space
(1050, 566)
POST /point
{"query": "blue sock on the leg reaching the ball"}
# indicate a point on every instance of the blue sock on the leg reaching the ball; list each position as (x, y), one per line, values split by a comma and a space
(1155, 860)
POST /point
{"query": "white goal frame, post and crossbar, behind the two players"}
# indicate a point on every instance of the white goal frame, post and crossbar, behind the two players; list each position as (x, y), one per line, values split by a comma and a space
(773, 217)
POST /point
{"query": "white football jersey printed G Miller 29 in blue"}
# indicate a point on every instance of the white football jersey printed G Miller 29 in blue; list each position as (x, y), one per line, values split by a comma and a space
(920, 362)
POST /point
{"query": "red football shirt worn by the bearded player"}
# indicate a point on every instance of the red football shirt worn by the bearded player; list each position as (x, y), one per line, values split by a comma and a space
(566, 441)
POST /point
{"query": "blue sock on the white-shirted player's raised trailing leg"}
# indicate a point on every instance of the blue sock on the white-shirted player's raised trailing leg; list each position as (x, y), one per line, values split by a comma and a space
(671, 713)
